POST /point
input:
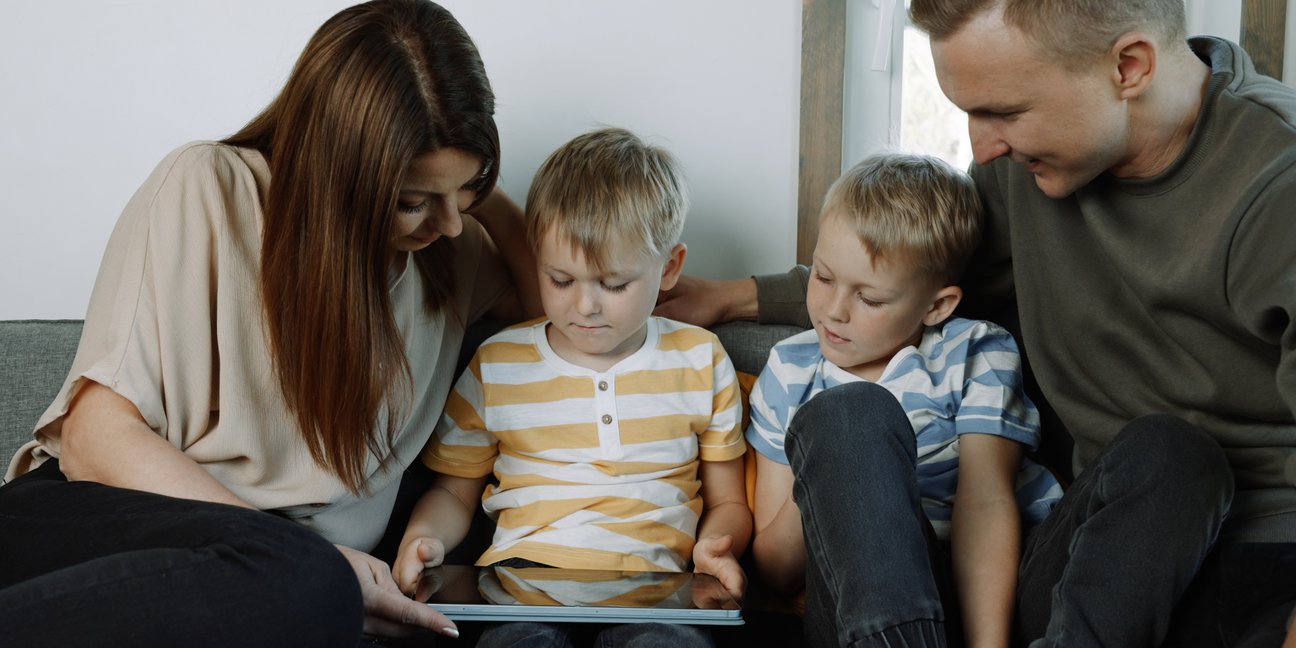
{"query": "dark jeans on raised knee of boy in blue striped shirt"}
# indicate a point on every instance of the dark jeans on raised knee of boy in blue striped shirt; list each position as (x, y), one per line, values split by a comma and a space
(875, 573)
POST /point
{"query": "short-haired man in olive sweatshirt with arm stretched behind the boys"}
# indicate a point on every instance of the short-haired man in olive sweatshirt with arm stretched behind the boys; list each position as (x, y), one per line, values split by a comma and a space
(1140, 192)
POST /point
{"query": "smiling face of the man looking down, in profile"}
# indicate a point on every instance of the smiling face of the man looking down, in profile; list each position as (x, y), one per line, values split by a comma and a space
(1065, 126)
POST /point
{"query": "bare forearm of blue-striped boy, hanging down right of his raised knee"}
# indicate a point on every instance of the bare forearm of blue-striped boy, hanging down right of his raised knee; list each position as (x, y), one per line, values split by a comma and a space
(987, 537)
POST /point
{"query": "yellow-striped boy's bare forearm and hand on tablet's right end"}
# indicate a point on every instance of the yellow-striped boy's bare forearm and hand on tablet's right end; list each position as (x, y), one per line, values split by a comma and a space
(726, 526)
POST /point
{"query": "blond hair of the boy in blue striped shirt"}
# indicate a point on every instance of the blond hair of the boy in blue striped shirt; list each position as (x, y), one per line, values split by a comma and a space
(913, 209)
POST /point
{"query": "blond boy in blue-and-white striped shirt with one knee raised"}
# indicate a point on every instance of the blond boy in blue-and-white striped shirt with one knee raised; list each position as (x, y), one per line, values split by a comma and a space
(895, 431)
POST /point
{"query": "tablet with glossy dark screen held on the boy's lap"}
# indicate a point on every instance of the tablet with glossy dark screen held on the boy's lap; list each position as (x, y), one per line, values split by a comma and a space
(466, 593)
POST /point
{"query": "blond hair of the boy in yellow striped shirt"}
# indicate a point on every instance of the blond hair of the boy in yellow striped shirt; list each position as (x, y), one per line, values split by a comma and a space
(605, 187)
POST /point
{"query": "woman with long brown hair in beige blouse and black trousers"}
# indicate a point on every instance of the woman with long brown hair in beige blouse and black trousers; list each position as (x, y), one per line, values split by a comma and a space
(274, 330)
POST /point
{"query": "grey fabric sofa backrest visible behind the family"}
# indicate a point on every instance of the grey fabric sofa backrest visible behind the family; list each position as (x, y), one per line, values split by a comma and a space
(37, 354)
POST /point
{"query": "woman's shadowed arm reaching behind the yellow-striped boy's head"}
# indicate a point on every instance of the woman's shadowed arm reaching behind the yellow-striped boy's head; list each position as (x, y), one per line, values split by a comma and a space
(506, 225)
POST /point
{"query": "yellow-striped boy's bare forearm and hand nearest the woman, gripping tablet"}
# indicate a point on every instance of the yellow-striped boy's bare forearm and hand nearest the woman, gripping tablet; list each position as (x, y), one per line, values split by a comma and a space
(439, 524)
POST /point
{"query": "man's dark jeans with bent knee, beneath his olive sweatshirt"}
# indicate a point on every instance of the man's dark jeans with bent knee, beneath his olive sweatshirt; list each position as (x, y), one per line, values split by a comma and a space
(1129, 558)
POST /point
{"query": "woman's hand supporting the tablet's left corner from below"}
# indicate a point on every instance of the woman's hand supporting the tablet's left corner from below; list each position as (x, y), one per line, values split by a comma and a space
(387, 611)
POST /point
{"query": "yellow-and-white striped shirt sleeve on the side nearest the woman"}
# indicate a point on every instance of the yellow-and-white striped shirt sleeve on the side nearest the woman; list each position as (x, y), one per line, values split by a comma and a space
(462, 445)
